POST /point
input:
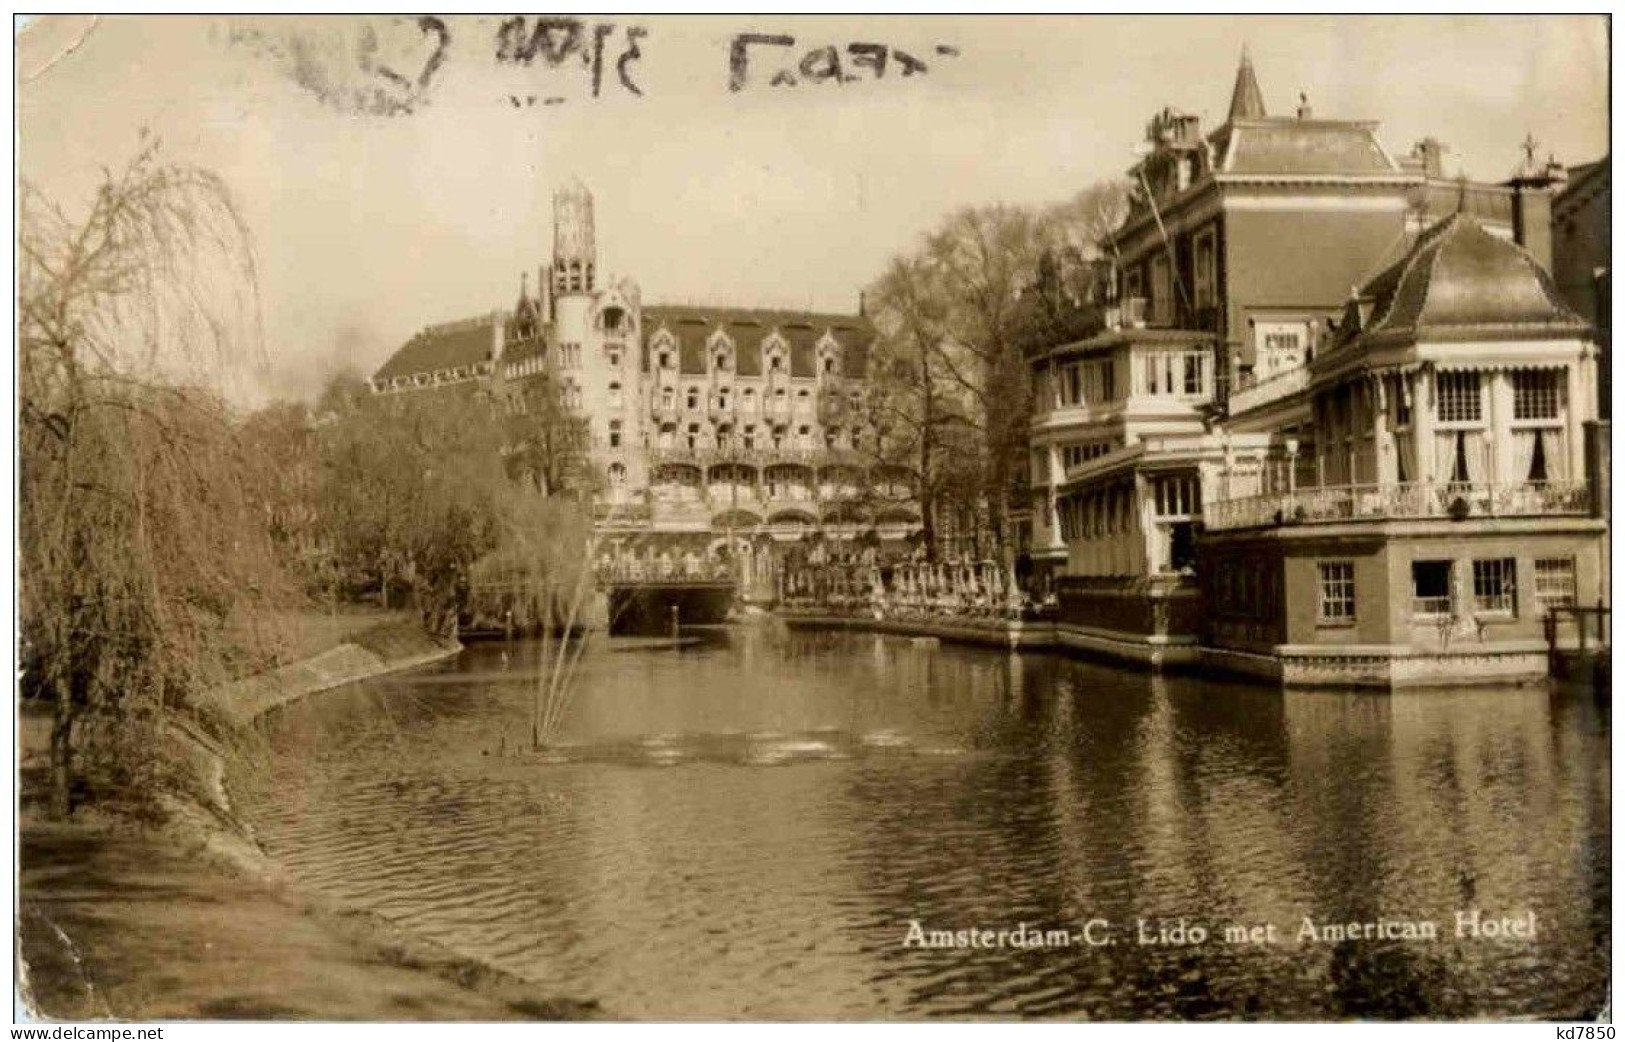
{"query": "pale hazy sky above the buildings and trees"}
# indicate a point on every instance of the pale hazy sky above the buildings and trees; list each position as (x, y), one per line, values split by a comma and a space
(379, 206)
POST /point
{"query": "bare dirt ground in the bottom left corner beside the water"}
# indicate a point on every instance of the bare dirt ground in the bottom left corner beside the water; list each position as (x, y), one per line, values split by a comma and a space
(119, 924)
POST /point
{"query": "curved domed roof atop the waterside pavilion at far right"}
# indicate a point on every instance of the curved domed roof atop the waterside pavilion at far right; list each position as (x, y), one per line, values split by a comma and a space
(1460, 282)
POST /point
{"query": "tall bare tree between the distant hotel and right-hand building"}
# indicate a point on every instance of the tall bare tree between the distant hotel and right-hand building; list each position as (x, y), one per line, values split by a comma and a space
(960, 318)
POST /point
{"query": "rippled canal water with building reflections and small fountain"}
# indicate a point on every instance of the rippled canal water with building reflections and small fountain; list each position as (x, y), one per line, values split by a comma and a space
(750, 828)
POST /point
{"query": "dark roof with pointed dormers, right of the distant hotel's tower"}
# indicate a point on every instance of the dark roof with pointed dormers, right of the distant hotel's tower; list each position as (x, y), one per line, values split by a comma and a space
(750, 328)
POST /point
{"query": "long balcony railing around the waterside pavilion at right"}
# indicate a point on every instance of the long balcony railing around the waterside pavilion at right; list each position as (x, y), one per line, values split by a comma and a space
(1413, 501)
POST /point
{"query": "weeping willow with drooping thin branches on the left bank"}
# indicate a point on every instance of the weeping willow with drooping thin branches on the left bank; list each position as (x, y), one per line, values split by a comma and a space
(145, 562)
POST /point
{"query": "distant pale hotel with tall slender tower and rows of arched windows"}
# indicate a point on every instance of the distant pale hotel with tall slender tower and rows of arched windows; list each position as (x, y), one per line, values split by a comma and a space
(709, 425)
